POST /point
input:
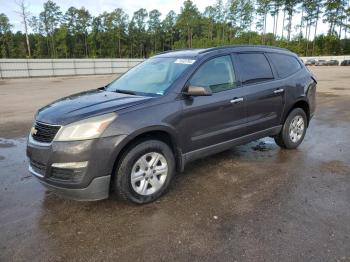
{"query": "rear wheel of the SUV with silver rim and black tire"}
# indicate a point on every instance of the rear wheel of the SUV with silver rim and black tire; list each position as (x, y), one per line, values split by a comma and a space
(286, 139)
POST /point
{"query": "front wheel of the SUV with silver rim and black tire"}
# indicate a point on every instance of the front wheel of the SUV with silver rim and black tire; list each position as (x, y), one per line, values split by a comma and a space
(138, 179)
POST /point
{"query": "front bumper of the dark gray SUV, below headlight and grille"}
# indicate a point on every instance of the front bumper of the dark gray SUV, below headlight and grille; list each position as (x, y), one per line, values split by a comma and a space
(79, 170)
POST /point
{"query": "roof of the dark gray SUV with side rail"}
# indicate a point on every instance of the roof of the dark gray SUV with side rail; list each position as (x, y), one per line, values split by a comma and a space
(193, 52)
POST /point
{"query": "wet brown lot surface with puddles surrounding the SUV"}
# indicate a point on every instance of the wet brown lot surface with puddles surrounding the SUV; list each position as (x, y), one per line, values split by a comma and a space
(254, 202)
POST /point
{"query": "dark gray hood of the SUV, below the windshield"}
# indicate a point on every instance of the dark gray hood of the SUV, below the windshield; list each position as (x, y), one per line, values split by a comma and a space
(86, 104)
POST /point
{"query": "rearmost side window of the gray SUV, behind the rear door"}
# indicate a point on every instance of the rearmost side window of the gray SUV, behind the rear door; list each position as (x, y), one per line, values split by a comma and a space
(285, 65)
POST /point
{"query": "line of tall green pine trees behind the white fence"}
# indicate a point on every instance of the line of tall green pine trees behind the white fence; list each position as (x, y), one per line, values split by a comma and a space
(77, 34)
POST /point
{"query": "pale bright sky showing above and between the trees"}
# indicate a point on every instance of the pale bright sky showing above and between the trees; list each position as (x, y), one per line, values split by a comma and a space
(97, 7)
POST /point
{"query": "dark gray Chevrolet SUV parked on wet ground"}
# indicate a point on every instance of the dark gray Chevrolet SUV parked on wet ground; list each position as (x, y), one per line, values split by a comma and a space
(131, 136)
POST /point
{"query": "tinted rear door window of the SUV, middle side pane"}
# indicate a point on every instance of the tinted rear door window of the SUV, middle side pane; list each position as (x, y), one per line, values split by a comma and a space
(254, 68)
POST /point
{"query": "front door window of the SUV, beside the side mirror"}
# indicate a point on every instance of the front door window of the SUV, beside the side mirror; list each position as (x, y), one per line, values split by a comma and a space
(217, 74)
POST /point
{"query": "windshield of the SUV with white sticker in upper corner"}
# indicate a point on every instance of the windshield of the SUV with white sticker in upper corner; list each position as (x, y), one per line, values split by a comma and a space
(152, 77)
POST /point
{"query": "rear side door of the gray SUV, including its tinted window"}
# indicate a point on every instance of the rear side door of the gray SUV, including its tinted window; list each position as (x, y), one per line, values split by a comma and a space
(264, 96)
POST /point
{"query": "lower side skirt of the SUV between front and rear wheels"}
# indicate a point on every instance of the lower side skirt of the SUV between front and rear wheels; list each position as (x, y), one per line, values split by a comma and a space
(213, 149)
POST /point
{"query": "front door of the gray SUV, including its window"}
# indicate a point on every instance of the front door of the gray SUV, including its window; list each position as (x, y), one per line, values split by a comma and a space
(210, 120)
